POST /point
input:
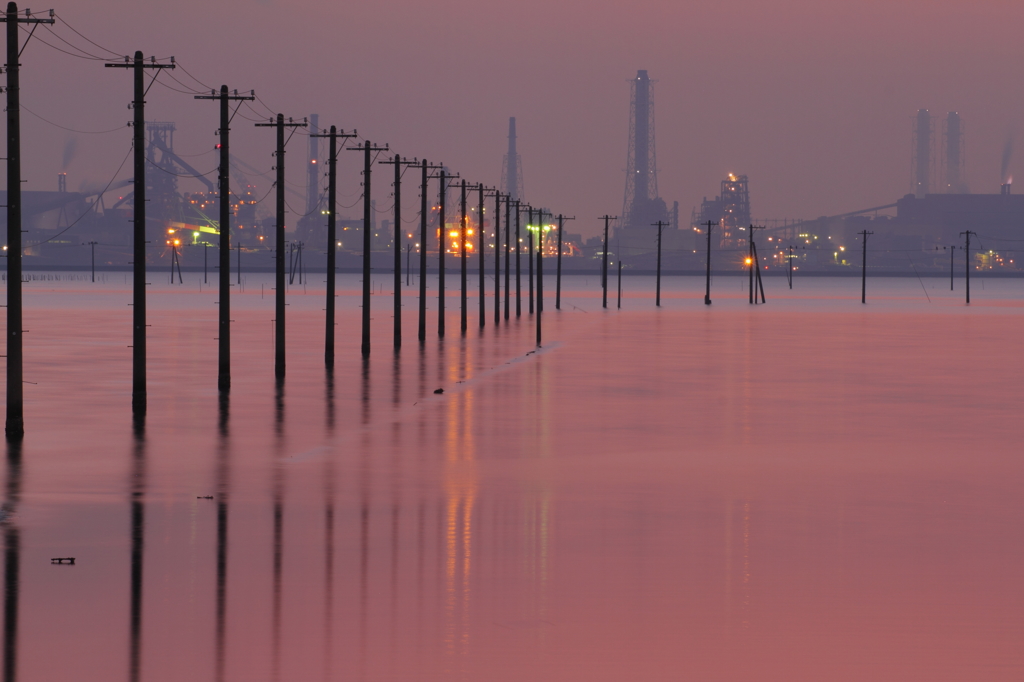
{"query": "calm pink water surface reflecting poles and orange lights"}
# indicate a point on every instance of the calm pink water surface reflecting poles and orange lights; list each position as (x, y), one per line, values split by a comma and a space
(808, 490)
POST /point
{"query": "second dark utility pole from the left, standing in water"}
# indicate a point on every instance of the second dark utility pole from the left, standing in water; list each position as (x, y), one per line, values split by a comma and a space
(139, 66)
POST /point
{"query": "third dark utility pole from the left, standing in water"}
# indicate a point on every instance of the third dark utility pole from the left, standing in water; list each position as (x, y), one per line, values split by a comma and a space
(225, 328)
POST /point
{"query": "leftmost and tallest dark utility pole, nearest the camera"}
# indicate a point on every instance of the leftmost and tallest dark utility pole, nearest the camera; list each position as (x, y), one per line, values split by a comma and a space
(15, 427)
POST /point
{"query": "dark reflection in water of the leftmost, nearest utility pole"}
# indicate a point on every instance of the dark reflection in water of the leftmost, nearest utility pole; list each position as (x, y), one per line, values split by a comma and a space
(13, 560)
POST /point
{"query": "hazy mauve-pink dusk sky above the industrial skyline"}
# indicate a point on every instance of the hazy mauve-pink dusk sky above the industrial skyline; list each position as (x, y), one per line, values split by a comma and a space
(814, 101)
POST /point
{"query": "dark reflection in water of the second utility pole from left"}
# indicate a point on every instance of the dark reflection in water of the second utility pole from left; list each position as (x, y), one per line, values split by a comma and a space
(138, 487)
